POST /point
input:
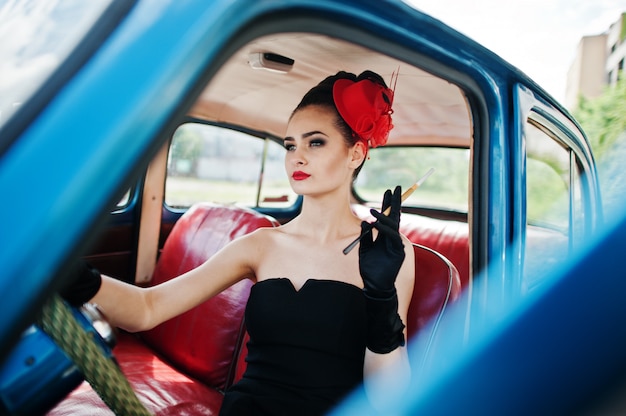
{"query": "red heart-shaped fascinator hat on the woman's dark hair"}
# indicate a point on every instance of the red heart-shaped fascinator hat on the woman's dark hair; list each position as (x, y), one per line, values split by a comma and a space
(365, 105)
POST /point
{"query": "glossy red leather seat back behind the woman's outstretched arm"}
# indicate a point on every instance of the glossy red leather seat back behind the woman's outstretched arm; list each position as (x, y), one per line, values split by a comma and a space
(203, 342)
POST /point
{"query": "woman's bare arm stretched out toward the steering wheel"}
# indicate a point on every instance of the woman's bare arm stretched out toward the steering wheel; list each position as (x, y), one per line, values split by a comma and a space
(138, 309)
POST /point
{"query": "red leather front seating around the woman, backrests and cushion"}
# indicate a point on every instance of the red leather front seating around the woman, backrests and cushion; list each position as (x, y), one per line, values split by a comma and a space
(184, 365)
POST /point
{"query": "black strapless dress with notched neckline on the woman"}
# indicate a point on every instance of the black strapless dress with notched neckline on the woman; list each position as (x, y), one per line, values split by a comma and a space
(306, 348)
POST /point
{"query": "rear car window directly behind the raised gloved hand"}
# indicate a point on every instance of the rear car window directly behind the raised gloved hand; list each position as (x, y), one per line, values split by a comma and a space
(446, 188)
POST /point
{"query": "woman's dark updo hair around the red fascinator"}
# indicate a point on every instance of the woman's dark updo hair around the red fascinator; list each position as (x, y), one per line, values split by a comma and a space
(322, 95)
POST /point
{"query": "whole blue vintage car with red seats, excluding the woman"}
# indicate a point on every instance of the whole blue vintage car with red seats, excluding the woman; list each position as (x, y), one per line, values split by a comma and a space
(145, 136)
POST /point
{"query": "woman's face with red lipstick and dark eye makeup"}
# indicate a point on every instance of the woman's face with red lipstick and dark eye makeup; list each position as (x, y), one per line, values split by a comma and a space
(318, 160)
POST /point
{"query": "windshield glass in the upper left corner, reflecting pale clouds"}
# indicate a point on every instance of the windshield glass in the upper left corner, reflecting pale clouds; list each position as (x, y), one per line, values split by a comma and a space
(37, 36)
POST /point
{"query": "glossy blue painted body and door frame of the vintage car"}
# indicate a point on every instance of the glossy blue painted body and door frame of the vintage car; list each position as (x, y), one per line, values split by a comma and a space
(98, 126)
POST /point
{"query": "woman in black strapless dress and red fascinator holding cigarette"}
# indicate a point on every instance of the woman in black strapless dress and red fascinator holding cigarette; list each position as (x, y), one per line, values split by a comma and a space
(318, 319)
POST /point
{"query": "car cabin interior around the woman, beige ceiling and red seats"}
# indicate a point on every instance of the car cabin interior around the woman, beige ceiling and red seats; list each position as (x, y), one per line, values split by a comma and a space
(220, 175)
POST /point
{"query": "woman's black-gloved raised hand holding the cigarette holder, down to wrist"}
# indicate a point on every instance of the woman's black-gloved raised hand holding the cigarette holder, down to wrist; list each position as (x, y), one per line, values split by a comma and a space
(380, 260)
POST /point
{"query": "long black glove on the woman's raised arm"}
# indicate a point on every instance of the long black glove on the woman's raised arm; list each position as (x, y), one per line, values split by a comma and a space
(380, 261)
